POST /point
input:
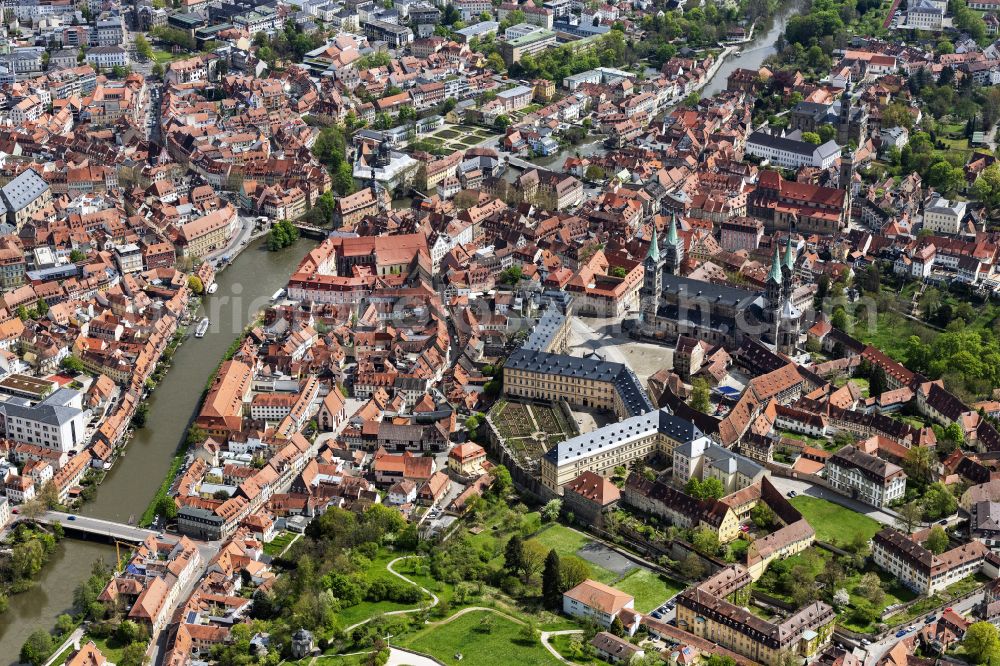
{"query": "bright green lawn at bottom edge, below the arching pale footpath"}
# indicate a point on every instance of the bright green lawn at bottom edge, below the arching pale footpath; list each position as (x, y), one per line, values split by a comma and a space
(466, 636)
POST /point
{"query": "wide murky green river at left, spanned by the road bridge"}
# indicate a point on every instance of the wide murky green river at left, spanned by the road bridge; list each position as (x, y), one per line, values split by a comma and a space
(245, 287)
